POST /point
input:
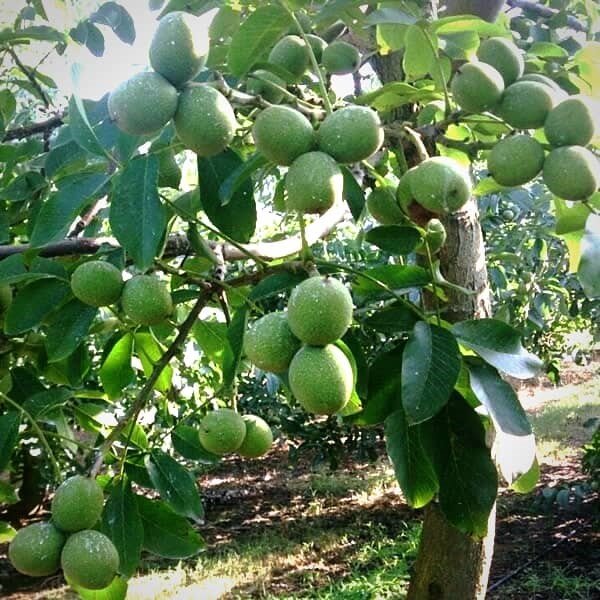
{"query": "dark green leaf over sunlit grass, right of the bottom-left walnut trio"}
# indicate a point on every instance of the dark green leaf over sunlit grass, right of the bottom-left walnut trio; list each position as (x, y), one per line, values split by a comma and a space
(167, 534)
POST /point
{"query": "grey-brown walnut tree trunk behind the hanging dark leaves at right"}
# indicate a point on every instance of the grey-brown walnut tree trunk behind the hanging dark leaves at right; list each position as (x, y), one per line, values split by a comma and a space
(451, 565)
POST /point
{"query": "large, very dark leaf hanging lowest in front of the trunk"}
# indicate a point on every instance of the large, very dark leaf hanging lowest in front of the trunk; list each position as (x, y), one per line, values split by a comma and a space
(466, 473)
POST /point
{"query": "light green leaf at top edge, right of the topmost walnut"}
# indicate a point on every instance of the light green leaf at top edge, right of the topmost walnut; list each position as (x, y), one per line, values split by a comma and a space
(257, 34)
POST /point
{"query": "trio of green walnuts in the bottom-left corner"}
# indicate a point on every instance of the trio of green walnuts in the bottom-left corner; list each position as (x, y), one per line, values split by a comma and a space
(87, 557)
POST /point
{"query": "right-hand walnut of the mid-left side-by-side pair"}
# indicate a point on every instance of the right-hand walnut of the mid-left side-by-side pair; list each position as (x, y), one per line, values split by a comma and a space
(146, 300)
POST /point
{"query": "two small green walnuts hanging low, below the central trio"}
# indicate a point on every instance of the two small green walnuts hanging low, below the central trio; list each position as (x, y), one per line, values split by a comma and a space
(224, 431)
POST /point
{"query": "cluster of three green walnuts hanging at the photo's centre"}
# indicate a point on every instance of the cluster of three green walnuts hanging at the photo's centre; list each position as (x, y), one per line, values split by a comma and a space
(302, 341)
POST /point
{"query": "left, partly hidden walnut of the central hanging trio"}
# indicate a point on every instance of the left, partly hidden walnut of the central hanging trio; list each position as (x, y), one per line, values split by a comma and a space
(270, 343)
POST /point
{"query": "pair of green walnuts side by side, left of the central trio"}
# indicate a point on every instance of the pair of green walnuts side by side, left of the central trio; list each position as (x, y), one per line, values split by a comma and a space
(144, 298)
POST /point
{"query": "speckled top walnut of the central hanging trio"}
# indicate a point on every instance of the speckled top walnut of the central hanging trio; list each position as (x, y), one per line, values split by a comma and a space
(320, 310)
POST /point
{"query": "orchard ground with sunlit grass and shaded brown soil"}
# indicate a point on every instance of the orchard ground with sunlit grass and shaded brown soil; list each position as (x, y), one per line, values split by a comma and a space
(277, 531)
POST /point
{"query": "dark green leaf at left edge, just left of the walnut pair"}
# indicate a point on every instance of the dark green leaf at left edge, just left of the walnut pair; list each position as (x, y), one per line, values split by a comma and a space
(32, 303)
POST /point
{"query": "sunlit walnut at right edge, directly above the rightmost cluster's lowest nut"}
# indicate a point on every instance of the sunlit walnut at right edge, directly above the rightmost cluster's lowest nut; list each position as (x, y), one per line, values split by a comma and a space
(571, 123)
